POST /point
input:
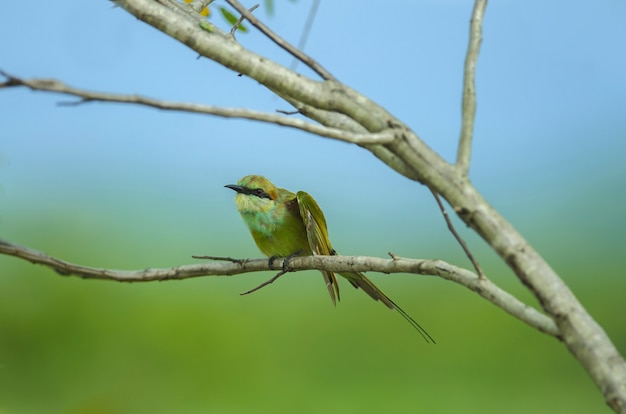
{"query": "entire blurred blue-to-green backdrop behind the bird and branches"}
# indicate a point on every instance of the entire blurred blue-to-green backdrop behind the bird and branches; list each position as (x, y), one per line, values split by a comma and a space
(129, 188)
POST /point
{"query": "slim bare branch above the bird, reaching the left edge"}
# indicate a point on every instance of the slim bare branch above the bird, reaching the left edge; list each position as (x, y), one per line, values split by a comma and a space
(56, 86)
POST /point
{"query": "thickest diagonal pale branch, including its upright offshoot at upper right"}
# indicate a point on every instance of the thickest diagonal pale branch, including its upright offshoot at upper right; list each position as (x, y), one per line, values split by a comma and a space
(409, 155)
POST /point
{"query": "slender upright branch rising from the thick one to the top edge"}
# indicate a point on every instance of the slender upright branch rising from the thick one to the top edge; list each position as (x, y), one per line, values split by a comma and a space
(469, 87)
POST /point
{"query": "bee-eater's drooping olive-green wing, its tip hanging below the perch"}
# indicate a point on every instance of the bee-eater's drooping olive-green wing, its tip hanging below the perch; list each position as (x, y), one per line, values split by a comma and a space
(317, 235)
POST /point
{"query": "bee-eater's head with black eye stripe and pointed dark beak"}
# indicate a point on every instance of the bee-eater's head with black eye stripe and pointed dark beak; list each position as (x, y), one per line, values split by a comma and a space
(255, 194)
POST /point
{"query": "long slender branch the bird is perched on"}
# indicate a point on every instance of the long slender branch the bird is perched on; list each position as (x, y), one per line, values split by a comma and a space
(228, 267)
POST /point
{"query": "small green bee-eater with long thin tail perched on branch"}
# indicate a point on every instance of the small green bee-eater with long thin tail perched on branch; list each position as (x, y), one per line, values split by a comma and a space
(285, 224)
